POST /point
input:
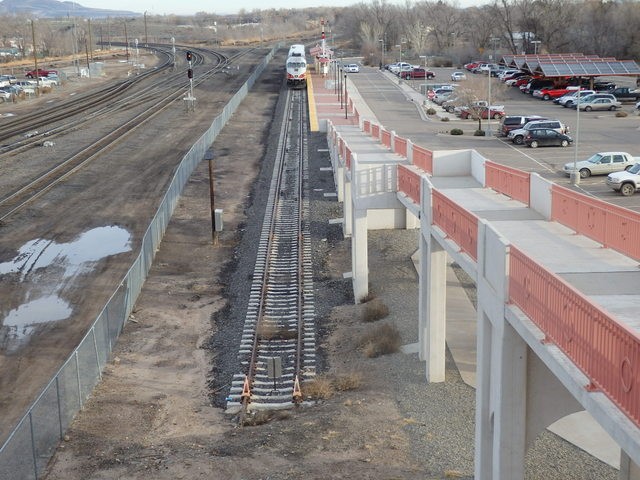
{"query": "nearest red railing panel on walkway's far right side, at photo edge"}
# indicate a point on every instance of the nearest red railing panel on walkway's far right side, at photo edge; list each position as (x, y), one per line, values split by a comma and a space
(615, 227)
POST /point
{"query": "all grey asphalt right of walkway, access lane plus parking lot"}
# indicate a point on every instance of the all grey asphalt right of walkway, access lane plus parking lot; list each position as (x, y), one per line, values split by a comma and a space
(594, 131)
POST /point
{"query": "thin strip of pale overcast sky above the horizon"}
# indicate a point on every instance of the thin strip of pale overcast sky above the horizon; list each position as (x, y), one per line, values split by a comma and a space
(189, 7)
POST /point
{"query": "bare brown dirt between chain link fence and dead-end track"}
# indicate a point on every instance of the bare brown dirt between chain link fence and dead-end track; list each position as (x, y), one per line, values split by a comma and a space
(152, 414)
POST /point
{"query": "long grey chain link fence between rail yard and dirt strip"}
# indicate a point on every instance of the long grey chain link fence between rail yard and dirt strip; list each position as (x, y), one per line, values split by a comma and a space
(27, 450)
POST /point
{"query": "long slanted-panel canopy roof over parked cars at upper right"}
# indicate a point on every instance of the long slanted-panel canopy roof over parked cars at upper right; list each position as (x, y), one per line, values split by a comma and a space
(571, 65)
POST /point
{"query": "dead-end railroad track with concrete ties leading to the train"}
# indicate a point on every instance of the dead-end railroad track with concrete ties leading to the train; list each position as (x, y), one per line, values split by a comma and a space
(277, 351)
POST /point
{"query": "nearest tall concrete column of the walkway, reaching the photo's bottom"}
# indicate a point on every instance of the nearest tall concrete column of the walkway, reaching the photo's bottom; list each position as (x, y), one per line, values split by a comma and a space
(501, 375)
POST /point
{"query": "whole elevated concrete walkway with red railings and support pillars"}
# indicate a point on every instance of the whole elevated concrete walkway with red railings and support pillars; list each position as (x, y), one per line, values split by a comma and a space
(557, 324)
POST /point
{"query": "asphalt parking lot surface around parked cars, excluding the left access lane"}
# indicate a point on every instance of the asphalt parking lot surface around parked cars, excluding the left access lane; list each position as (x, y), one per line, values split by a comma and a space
(592, 132)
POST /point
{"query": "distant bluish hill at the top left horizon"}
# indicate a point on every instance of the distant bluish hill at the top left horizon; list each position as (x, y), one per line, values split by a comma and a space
(56, 9)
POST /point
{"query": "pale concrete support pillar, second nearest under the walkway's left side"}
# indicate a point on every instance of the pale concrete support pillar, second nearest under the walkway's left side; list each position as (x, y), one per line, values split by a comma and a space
(433, 305)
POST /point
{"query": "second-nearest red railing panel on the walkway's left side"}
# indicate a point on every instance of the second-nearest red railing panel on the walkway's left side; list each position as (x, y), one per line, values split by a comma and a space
(458, 223)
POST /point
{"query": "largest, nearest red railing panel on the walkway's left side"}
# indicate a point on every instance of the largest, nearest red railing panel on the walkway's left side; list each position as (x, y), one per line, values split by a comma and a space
(605, 350)
